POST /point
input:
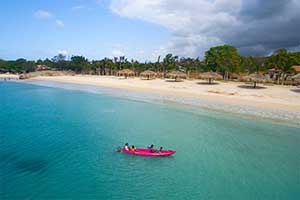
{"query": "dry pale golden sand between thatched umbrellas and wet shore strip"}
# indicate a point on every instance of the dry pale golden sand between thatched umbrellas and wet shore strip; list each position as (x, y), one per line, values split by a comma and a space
(285, 98)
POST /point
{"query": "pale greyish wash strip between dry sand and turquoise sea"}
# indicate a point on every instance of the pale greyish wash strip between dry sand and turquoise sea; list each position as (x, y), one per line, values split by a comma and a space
(242, 110)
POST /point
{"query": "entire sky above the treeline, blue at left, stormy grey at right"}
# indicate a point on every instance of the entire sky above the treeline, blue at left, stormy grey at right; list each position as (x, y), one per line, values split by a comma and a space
(145, 29)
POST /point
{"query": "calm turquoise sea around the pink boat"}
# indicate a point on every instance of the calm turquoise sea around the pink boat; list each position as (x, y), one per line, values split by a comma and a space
(59, 144)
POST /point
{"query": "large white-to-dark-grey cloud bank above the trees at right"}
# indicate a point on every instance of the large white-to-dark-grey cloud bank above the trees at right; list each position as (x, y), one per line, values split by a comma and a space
(256, 27)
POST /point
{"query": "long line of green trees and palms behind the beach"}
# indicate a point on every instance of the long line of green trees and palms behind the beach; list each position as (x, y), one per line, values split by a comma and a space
(223, 59)
